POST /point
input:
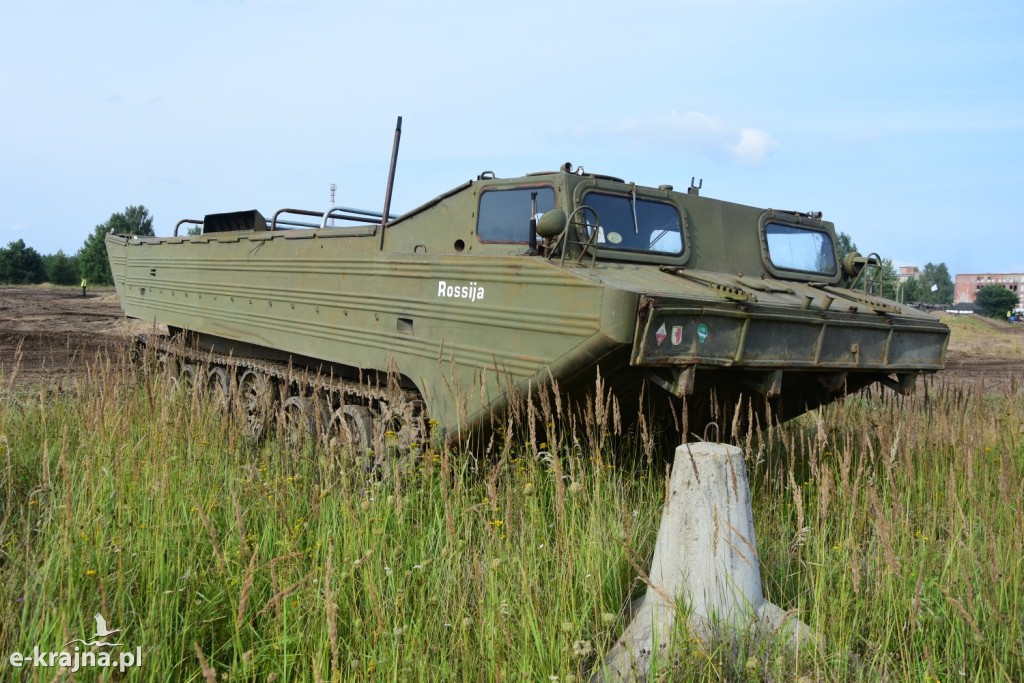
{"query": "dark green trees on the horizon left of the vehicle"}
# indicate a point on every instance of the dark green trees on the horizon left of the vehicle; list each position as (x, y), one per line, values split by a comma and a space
(21, 265)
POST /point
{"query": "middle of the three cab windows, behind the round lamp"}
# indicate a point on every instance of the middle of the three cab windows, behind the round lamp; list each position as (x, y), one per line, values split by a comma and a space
(632, 224)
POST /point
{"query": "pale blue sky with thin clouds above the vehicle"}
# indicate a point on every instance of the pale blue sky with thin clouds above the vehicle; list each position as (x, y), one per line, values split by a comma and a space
(903, 122)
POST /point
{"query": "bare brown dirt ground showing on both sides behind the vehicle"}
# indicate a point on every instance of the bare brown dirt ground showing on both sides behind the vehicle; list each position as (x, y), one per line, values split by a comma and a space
(51, 334)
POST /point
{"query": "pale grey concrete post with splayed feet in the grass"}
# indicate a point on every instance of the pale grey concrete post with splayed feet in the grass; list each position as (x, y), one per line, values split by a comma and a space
(706, 558)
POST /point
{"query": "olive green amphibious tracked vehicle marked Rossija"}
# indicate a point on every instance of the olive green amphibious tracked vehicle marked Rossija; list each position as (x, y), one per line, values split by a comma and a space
(370, 322)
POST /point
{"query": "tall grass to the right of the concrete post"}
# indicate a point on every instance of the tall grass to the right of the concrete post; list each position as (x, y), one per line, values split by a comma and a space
(895, 526)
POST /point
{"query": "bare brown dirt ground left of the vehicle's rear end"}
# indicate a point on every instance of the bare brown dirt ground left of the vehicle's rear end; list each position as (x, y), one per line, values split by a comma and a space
(51, 334)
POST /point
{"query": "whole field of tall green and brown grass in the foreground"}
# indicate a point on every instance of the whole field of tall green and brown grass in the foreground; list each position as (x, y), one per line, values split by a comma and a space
(893, 527)
